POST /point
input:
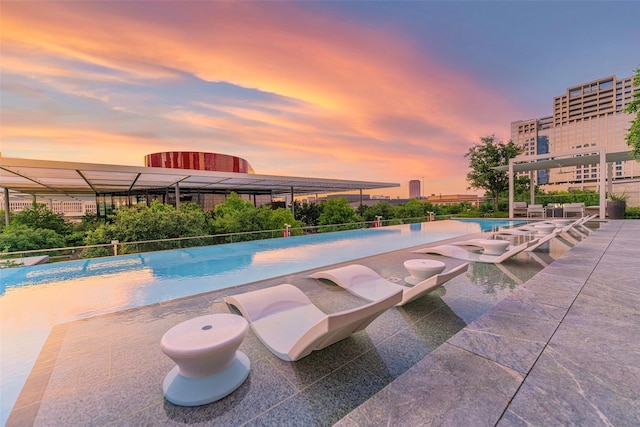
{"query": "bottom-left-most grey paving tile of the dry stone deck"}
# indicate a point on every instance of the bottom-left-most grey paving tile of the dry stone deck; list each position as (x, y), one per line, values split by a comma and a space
(450, 387)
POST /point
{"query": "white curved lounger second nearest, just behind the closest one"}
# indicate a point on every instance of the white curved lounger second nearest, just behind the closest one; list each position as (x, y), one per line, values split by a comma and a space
(365, 283)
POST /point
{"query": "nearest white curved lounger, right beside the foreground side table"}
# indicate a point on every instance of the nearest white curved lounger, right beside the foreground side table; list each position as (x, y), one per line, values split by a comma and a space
(291, 326)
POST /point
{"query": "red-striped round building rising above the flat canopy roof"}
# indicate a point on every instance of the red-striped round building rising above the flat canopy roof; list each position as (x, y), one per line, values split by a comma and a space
(198, 161)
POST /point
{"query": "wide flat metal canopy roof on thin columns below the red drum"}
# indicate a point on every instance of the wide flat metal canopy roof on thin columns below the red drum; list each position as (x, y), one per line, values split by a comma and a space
(71, 181)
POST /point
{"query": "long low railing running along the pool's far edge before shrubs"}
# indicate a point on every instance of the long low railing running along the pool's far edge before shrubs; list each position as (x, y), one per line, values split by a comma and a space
(121, 248)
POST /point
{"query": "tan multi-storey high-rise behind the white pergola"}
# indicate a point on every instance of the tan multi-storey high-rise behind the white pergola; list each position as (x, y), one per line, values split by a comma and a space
(587, 115)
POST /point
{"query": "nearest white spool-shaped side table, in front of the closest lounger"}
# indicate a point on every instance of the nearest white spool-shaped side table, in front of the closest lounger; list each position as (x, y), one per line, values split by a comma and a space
(208, 363)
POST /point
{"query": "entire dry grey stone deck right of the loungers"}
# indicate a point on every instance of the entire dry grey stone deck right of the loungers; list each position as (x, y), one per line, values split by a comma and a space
(563, 350)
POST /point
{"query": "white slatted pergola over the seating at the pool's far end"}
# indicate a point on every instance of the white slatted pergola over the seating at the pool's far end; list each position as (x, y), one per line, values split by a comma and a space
(585, 156)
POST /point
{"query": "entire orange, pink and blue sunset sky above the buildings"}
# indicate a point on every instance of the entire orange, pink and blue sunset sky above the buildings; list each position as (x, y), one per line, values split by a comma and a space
(380, 91)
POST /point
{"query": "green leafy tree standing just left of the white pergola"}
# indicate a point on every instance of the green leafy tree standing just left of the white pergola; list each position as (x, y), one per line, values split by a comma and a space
(485, 156)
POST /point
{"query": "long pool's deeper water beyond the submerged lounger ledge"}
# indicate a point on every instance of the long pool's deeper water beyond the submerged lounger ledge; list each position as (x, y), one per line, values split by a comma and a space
(34, 299)
